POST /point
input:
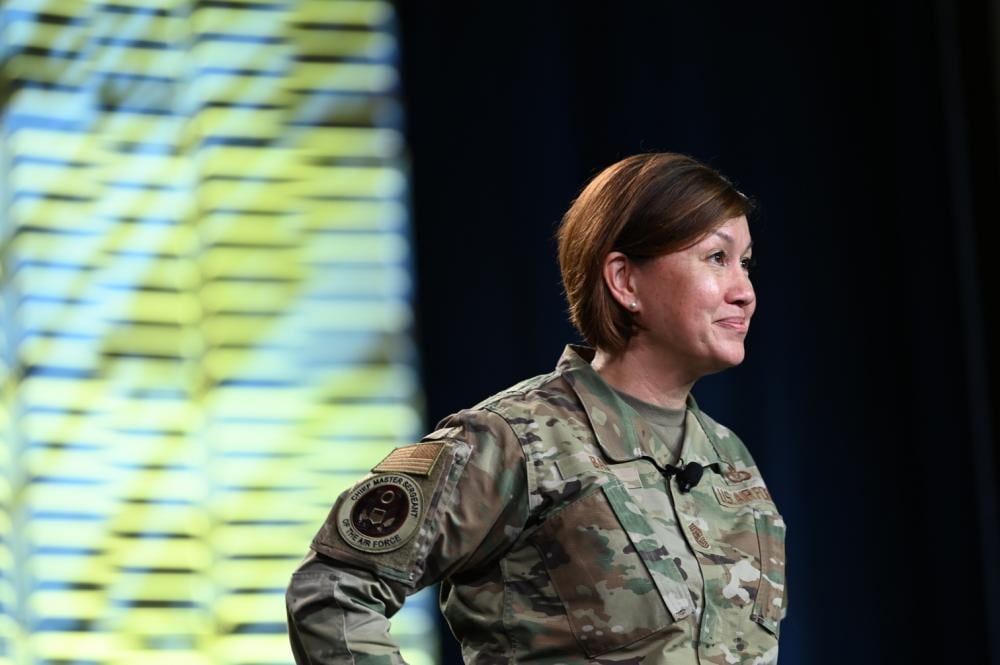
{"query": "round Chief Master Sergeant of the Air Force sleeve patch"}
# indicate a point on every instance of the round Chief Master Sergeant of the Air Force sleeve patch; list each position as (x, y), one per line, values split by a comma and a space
(381, 513)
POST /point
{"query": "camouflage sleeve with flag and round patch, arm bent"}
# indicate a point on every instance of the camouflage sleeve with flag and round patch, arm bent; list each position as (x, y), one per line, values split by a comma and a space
(452, 504)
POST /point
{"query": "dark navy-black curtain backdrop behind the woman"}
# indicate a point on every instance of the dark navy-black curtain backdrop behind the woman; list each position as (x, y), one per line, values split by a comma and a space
(867, 132)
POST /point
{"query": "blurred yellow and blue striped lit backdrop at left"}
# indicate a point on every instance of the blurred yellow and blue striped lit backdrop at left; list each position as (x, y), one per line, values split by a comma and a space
(205, 318)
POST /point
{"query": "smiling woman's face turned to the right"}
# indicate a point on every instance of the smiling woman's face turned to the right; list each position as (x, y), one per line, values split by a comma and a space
(696, 304)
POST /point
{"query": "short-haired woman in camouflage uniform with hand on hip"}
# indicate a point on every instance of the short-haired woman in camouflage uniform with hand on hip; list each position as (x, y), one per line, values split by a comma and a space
(593, 514)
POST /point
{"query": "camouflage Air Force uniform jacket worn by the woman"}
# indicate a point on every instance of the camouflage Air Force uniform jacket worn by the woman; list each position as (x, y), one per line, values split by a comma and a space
(545, 515)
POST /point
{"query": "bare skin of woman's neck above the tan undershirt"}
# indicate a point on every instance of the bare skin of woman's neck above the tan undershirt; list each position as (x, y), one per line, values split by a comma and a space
(644, 375)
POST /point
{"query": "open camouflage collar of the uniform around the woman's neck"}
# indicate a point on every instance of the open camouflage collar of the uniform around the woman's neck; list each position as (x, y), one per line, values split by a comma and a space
(621, 434)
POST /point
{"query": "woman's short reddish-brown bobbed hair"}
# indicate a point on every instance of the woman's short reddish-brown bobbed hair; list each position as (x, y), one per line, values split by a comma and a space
(644, 206)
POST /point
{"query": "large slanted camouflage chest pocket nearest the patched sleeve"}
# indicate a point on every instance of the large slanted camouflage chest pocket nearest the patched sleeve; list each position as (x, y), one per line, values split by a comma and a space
(615, 581)
